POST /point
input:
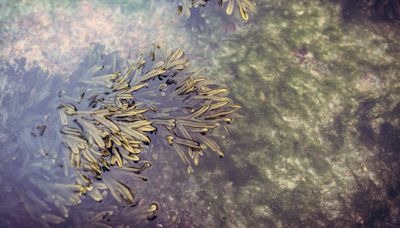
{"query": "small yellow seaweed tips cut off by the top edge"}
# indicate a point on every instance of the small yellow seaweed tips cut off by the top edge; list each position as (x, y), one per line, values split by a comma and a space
(243, 6)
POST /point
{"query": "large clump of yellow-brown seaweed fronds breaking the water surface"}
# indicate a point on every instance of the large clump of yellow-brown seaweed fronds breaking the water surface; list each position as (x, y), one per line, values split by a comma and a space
(156, 96)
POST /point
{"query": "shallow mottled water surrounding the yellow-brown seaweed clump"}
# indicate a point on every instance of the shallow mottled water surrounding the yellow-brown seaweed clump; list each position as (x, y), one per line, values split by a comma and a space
(318, 83)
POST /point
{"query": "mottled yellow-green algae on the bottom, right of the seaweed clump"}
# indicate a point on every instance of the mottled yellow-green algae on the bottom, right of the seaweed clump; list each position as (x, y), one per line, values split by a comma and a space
(300, 110)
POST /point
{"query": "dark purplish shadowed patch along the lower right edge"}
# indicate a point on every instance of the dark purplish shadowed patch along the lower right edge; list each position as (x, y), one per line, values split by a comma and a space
(373, 205)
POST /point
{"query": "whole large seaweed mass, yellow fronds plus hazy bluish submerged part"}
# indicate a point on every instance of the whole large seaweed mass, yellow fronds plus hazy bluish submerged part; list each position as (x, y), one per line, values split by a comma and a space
(84, 139)
